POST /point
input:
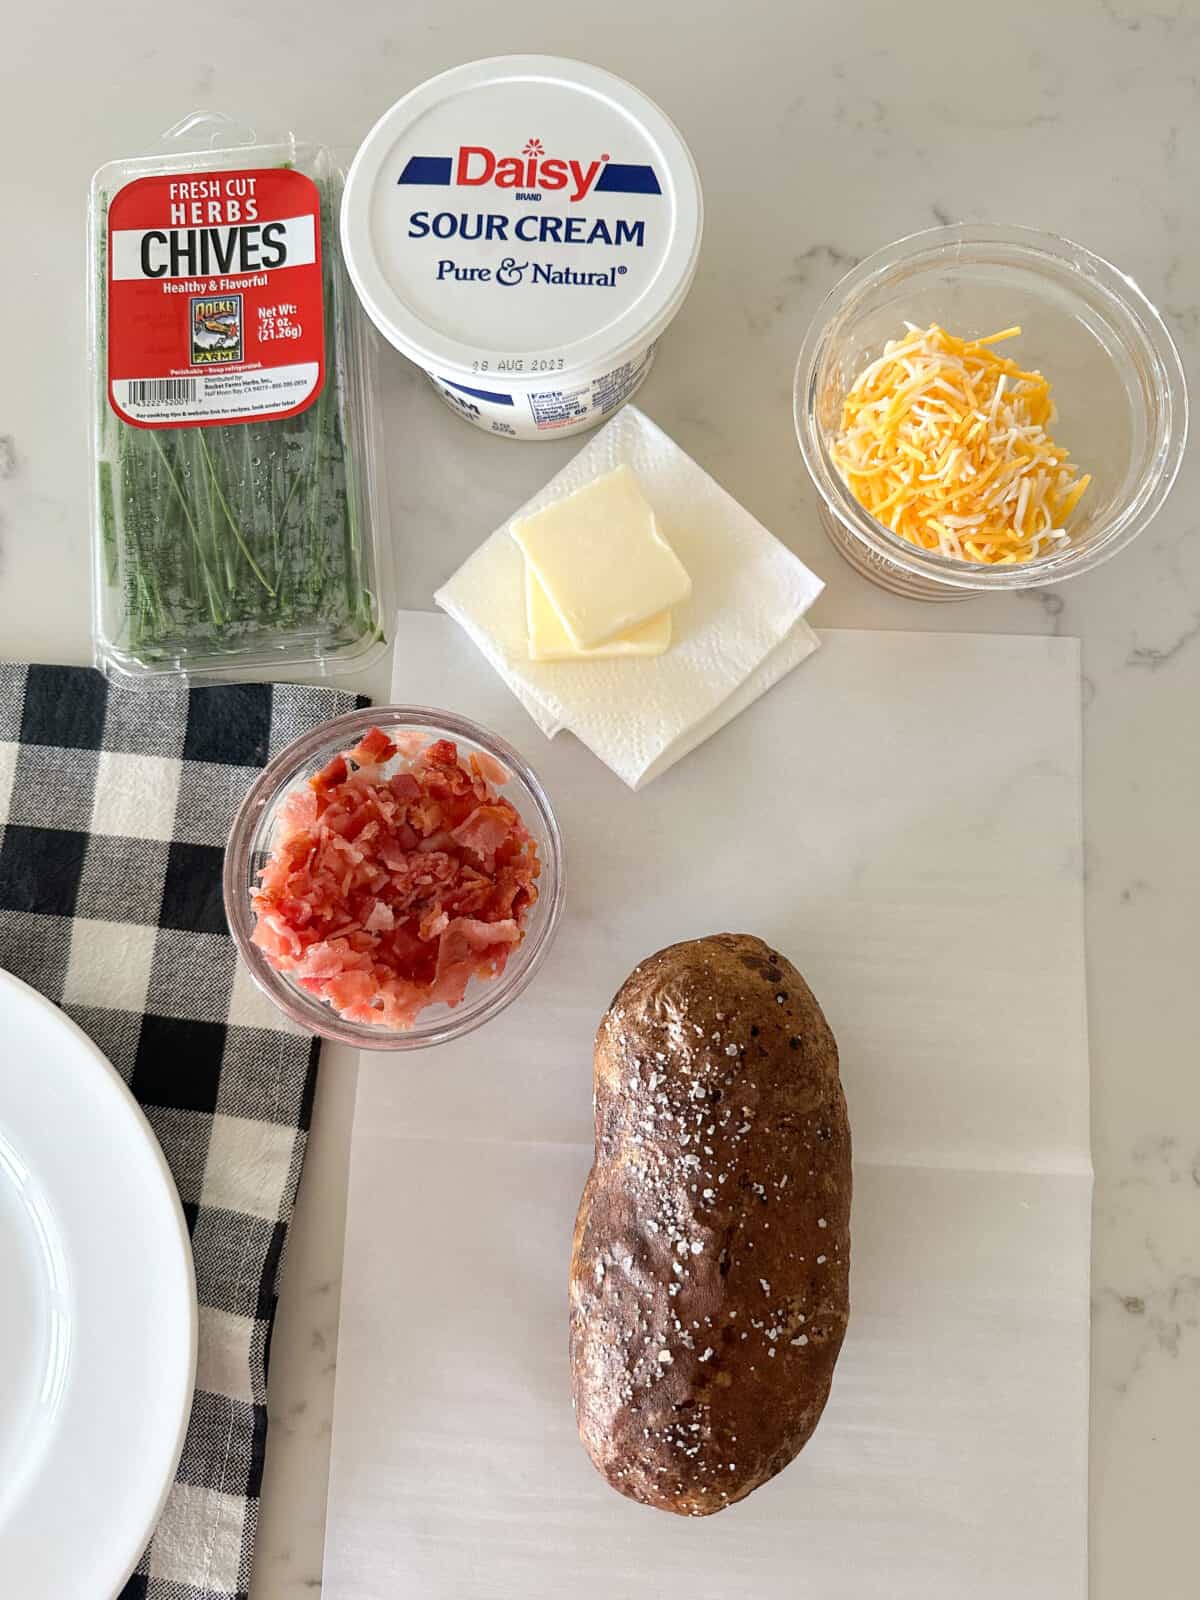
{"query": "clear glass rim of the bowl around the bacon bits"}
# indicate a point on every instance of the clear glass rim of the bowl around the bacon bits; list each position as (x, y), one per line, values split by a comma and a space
(297, 762)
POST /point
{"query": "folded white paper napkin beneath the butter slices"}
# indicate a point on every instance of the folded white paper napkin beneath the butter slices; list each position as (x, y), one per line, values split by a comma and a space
(737, 636)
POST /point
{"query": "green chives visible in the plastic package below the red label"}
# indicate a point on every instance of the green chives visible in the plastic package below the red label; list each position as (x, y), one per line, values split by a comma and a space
(236, 540)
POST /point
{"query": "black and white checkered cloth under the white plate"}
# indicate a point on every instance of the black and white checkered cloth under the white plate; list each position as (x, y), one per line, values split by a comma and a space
(116, 806)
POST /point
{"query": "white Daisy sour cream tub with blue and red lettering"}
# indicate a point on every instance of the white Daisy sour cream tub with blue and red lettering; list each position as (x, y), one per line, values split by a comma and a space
(524, 230)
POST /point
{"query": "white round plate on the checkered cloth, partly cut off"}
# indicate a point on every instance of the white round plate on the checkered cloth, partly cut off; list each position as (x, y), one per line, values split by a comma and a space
(97, 1313)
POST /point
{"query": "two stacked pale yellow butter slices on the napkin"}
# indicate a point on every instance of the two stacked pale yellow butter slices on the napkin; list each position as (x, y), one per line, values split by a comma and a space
(601, 559)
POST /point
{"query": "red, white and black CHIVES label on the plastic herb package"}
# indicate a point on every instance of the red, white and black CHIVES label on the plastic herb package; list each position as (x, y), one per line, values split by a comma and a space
(215, 298)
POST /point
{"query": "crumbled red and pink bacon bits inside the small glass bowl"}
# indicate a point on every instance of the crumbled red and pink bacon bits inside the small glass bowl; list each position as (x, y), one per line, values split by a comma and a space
(390, 892)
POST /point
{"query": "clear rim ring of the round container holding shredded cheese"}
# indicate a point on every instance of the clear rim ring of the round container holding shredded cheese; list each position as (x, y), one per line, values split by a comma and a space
(1038, 250)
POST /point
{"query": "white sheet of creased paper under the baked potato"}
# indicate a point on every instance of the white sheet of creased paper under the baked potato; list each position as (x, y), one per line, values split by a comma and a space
(902, 817)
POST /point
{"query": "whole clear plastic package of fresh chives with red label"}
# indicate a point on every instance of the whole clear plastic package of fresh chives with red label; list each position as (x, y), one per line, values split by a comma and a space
(236, 503)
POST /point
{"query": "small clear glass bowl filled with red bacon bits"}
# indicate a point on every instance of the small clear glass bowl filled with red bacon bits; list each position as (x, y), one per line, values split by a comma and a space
(394, 879)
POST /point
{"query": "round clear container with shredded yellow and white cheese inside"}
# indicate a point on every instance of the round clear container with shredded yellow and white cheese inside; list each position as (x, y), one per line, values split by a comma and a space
(988, 409)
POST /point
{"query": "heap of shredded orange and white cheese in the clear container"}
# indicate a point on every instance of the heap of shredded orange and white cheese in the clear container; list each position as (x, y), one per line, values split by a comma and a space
(945, 442)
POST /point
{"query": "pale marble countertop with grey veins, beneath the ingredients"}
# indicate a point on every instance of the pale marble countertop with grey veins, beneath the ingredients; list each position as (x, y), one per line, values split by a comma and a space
(822, 134)
